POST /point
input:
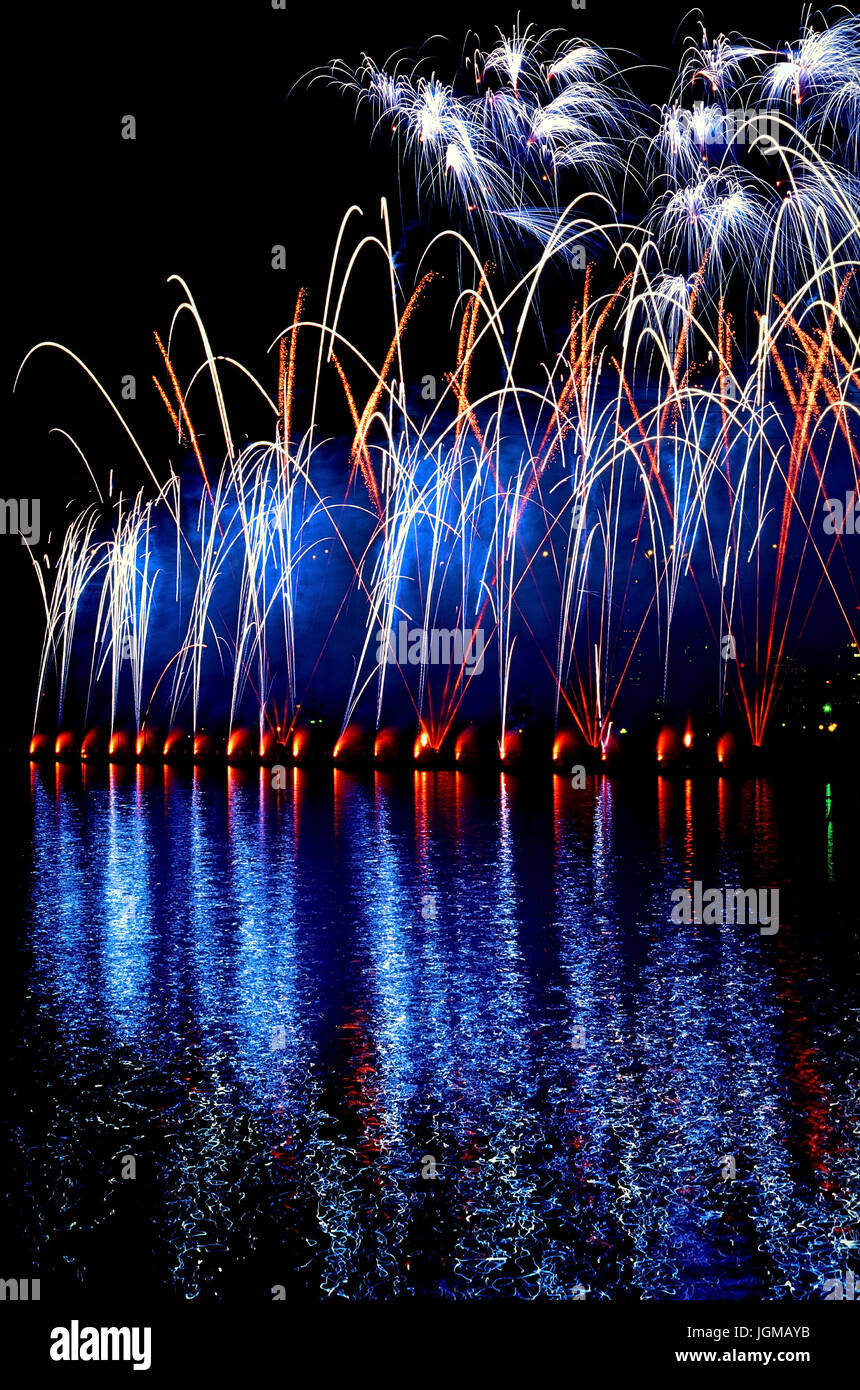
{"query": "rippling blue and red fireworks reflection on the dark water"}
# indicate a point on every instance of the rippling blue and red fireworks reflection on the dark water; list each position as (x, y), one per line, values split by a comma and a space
(379, 1036)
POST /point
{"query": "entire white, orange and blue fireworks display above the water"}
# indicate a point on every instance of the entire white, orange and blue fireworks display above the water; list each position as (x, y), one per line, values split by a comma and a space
(676, 455)
